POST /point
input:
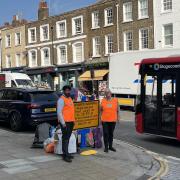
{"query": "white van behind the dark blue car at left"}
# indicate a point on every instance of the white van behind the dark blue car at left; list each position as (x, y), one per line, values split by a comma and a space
(20, 80)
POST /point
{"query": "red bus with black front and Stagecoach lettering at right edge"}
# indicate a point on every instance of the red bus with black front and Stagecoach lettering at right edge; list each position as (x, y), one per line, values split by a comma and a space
(158, 105)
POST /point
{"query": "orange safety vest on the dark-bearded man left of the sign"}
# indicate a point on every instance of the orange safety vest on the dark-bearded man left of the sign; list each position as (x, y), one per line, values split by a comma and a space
(68, 109)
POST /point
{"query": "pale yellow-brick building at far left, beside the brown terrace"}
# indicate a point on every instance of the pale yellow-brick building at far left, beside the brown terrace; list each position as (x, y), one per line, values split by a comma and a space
(13, 50)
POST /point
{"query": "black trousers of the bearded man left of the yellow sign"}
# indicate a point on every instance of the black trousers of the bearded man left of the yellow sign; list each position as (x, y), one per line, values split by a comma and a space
(66, 134)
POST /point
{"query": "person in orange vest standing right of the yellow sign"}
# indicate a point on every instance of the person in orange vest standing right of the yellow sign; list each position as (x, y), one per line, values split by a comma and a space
(109, 117)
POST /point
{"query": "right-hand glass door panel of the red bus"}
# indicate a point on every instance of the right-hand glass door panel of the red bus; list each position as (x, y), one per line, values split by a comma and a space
(167, 104)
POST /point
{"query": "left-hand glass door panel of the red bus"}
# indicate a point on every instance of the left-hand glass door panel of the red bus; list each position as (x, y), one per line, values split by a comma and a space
(150, 103)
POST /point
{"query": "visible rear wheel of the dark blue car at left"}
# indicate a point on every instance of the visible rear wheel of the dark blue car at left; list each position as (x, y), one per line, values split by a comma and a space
(16, 121)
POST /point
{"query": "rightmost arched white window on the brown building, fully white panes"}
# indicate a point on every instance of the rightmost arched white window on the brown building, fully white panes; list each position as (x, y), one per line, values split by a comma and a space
(78, 52)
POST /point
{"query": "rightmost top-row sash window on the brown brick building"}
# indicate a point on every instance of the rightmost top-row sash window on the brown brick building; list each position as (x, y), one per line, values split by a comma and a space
(143, 9)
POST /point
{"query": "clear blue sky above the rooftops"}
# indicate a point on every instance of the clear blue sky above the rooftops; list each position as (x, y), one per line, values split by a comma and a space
(27, 9)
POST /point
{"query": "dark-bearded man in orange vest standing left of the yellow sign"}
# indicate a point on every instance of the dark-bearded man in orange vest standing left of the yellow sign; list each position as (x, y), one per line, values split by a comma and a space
(66, 119)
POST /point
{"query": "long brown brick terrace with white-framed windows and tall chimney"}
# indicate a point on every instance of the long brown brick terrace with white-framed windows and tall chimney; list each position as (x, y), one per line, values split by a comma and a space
(60, 48)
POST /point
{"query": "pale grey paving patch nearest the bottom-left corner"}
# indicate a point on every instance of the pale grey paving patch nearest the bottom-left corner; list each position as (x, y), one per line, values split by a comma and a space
(20, 169)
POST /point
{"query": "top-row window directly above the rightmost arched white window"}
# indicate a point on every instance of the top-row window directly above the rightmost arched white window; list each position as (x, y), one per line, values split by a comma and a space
(77, 25)
